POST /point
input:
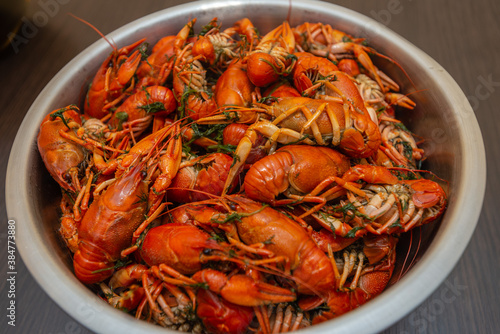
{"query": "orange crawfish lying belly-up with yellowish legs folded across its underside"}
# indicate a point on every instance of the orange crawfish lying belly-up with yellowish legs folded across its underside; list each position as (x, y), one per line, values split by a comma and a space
(303, 119)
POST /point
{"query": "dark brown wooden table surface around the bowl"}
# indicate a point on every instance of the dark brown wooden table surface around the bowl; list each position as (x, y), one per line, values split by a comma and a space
(463, 36)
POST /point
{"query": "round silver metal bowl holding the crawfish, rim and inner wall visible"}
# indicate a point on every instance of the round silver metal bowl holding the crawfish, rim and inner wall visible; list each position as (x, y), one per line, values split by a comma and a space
(443, 117)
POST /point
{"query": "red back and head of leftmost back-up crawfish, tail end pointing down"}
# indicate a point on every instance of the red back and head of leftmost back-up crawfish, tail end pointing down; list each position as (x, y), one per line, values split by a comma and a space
(108, 225)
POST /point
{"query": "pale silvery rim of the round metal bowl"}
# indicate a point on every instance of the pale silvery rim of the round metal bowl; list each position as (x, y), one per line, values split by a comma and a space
(424, 278)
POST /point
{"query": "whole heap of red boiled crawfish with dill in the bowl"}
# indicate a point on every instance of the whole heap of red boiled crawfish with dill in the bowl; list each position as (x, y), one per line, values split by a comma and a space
(227, 182)
